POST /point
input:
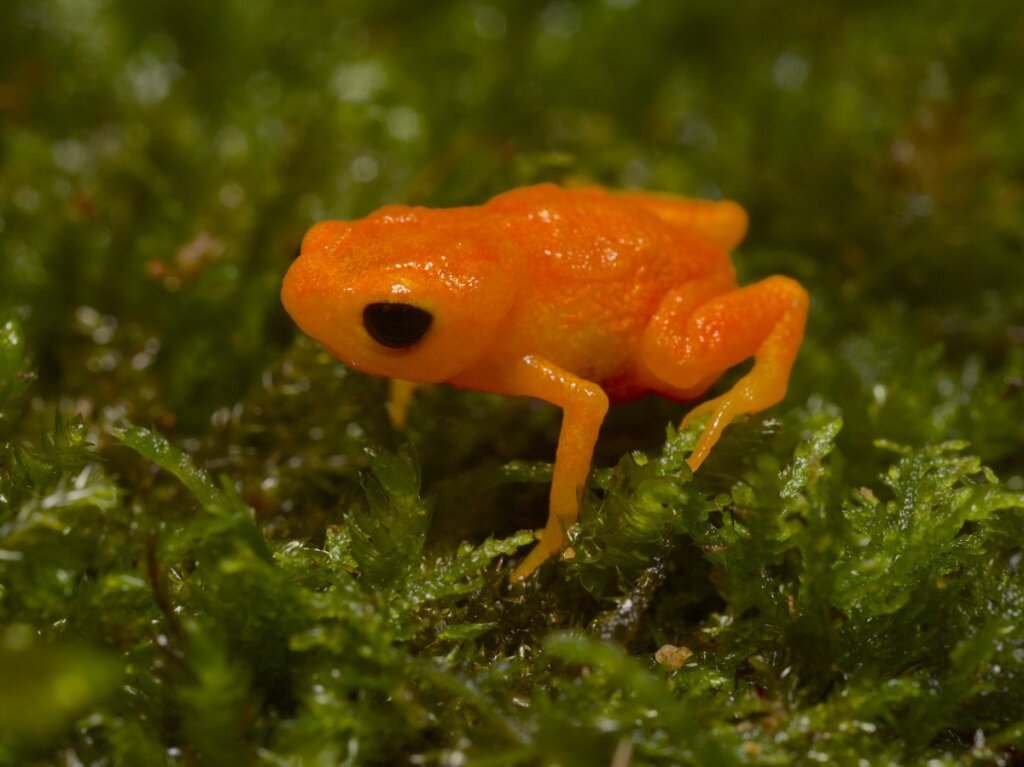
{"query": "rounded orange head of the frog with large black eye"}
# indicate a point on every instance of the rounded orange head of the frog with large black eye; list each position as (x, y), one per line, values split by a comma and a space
(406, 293)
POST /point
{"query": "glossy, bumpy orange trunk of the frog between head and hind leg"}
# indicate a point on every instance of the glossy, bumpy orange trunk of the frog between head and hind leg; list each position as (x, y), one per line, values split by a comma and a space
(599, 265)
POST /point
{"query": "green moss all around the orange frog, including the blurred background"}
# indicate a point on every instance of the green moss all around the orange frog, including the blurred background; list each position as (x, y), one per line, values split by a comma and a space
(215, 549)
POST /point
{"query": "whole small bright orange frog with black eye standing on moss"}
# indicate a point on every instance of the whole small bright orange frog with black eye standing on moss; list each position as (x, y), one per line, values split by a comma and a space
(574, 296)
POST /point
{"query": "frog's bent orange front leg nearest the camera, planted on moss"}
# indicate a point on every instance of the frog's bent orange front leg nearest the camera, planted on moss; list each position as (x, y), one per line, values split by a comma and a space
(584, 405)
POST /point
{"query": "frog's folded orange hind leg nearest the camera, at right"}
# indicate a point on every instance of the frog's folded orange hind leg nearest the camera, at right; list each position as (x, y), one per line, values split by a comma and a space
(688, 346)
